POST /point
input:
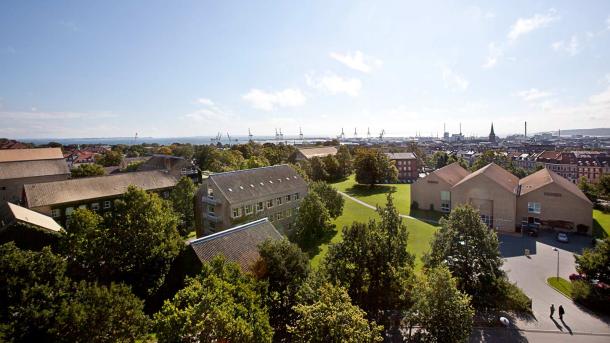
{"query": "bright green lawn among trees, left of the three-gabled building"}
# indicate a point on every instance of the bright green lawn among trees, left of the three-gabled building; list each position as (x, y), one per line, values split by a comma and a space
(420, 233)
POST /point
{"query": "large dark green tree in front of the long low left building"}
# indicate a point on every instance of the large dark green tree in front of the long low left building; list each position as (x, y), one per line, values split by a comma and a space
(134, 244)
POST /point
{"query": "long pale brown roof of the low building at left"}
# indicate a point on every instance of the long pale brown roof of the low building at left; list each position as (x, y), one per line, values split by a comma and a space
(78, 190)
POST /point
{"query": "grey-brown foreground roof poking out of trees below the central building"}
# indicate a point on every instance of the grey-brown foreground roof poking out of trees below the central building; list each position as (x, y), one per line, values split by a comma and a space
(238, 244)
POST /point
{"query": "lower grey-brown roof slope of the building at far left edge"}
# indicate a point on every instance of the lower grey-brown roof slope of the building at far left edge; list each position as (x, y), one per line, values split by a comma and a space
(22, 169)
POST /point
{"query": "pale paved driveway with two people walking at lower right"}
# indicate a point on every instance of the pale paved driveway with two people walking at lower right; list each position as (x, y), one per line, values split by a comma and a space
(531, 273)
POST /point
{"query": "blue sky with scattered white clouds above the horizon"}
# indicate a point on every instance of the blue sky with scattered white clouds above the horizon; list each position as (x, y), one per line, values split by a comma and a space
(72, 69)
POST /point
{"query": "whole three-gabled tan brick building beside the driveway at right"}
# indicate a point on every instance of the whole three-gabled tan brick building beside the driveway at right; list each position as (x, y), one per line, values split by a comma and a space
(504, 201)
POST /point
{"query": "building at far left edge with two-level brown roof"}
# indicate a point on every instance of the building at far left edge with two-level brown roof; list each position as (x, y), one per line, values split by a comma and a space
(22, 166)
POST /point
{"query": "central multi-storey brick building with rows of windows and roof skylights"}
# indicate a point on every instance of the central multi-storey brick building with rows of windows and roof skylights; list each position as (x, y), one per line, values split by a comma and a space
(227, 199)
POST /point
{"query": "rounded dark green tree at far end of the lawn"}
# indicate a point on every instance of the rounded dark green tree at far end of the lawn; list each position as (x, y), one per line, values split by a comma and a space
(372, 166)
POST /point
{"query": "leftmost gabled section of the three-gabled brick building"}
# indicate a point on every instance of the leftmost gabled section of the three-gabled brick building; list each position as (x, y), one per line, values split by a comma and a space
(433, 192)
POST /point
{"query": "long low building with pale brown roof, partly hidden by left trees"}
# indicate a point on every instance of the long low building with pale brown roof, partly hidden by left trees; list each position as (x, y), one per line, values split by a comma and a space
(59, 199)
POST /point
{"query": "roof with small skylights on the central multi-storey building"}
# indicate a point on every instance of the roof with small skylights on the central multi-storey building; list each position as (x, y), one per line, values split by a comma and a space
(250, 184)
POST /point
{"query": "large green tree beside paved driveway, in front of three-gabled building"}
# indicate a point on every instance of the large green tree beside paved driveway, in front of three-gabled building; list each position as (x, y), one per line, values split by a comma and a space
(470, 250)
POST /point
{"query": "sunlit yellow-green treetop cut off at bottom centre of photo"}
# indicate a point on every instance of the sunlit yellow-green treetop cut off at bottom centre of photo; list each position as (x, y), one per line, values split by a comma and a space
(333, 318)
